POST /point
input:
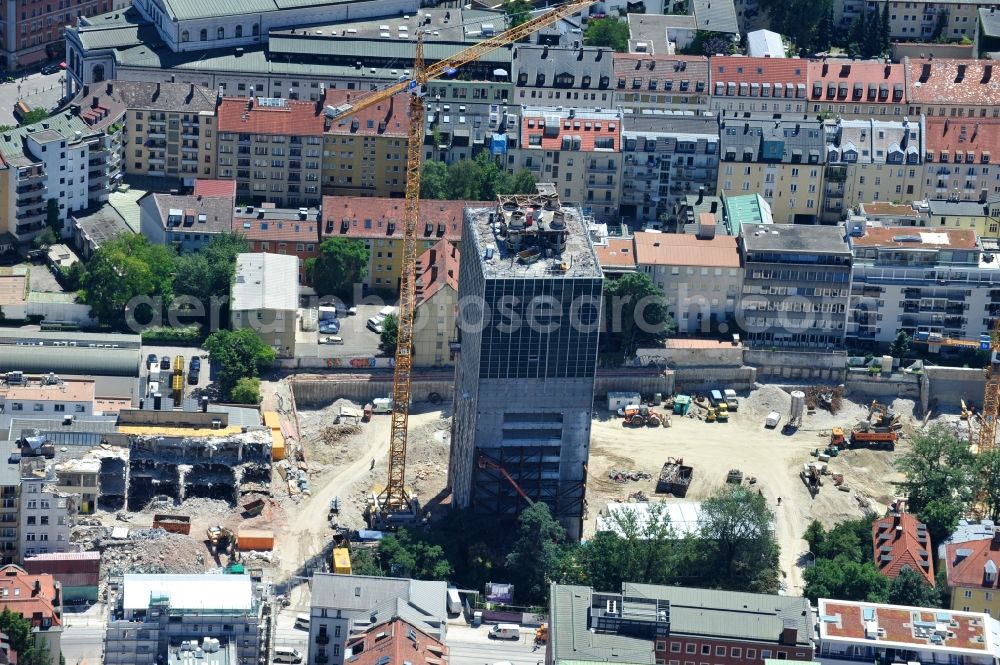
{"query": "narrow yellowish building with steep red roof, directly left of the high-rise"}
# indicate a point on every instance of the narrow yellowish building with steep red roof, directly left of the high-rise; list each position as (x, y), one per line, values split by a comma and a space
(436, 305)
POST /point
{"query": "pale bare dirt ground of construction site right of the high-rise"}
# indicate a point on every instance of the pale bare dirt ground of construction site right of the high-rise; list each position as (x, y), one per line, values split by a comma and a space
(770, 456)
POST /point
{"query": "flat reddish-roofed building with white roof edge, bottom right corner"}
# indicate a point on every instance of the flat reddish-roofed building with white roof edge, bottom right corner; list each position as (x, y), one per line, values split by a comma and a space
(851, 631)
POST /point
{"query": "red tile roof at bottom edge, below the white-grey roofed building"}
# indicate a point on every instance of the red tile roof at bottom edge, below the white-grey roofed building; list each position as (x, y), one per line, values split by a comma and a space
(397, 641)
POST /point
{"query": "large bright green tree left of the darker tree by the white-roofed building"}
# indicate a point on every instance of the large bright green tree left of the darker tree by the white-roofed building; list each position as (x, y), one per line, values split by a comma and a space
(122, 269)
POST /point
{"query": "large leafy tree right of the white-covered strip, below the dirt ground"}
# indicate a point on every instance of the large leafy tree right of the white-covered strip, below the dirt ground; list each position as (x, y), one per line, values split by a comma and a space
(739, 546)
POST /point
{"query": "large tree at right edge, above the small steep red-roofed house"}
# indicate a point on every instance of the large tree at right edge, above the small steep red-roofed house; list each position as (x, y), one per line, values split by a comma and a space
(940, 479)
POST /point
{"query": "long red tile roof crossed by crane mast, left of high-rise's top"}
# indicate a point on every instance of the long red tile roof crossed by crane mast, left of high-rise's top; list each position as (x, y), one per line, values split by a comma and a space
(376, 217)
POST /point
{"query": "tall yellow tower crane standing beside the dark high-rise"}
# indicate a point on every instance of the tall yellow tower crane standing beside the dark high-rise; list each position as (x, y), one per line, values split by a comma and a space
(394, 500)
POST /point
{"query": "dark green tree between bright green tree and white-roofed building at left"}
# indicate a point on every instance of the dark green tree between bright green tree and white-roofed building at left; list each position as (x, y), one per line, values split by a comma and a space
(210, 272)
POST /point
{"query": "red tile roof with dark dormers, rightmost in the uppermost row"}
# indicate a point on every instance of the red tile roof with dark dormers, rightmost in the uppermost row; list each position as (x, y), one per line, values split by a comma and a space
(952, 82)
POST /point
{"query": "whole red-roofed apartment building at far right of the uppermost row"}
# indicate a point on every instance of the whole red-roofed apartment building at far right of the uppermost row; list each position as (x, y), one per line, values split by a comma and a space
(952, 88)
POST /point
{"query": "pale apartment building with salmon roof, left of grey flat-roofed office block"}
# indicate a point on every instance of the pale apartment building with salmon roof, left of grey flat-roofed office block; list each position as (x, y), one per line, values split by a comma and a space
(699, 274)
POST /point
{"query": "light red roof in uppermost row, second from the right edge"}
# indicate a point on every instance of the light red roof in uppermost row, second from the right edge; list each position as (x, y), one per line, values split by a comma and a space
(849, 80)
